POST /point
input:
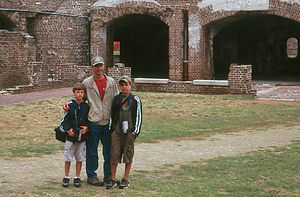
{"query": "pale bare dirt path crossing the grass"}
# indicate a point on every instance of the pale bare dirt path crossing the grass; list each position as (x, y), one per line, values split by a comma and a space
(24, 174)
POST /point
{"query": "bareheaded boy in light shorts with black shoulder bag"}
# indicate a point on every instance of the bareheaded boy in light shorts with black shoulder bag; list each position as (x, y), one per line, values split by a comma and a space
(74, 123)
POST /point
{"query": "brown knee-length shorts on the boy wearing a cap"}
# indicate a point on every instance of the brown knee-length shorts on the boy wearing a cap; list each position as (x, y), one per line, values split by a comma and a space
(121, 144)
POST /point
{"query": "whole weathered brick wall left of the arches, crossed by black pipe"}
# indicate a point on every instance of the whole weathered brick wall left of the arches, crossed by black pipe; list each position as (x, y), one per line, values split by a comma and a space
(59, 31)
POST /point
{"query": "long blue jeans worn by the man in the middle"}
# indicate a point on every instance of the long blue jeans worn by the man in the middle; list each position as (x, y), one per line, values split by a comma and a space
(96, 133)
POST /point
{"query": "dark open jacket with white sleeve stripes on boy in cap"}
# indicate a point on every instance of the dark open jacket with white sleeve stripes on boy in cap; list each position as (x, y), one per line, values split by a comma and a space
(136, 112)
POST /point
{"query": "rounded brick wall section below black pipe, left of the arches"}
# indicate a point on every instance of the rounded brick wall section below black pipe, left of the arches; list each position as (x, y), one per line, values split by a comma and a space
(61, 42)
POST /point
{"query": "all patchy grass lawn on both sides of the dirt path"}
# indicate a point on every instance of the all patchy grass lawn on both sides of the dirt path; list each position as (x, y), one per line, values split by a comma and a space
(26, 130)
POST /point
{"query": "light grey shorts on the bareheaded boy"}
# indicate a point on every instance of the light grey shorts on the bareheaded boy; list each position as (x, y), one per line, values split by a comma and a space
(75, 148)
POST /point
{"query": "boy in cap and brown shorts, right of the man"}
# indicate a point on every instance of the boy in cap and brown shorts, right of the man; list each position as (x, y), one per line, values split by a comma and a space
(126, 114)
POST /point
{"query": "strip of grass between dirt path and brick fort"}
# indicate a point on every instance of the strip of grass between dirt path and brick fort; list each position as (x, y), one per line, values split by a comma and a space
(27, 129)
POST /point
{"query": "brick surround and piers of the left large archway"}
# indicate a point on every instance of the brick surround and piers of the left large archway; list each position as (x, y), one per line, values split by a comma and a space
(170, 12)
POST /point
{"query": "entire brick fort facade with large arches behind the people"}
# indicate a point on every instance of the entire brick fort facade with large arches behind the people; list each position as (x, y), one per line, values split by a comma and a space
(62, 43)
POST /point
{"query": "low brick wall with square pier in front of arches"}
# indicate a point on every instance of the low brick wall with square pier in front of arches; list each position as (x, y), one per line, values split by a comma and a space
(239, 80)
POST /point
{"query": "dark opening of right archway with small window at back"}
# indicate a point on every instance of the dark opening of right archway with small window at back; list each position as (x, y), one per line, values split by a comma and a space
(259, 40)
